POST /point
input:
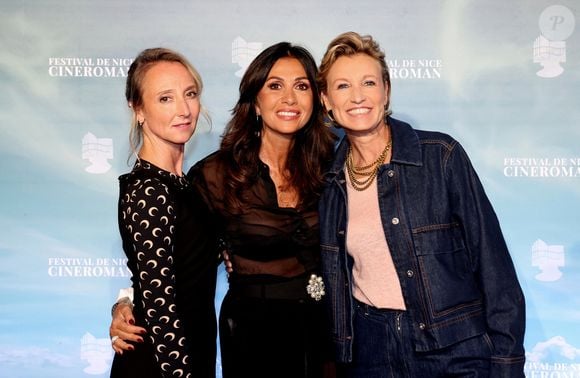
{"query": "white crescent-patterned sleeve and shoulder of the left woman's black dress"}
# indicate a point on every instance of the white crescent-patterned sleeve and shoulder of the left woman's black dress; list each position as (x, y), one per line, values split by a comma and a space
(148, 216)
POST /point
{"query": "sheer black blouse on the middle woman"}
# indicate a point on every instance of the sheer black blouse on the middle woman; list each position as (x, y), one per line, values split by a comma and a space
(261, 237)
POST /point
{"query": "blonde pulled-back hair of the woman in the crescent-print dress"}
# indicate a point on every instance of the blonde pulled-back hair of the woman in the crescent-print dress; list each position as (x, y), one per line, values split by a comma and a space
(134, 85)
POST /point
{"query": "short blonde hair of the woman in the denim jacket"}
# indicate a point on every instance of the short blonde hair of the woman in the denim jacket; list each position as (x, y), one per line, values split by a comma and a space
(349, 44)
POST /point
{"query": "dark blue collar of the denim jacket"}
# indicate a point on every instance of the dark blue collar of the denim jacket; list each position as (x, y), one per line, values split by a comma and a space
(406, 148)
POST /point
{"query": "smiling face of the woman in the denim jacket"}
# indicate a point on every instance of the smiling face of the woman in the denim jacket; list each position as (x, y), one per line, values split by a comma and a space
(356, 93)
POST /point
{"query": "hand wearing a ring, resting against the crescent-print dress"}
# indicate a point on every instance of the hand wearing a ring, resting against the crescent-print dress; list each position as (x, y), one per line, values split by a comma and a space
(122, 326)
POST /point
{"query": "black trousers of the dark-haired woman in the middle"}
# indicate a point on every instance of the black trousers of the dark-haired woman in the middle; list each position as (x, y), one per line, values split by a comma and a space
(282, 338)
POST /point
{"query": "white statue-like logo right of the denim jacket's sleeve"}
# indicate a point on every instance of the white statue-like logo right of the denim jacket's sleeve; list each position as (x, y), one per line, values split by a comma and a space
(549, 259)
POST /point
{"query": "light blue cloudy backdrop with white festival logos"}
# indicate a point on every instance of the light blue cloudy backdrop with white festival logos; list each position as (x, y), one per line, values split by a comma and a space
(503, 77)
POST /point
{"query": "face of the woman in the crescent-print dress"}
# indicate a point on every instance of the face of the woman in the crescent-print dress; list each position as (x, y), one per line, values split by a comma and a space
(170, 104)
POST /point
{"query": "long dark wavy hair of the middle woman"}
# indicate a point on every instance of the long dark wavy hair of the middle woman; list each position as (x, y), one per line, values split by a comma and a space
(311, 150)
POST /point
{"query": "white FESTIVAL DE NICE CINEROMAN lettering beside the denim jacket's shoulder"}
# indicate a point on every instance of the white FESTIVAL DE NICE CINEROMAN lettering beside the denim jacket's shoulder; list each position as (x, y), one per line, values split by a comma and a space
(541, 167)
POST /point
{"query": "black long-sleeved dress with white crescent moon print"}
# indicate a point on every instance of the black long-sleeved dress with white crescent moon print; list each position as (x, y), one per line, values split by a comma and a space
(170, 244)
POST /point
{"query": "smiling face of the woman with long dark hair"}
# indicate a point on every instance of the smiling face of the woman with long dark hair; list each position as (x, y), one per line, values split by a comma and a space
(285, 101)
